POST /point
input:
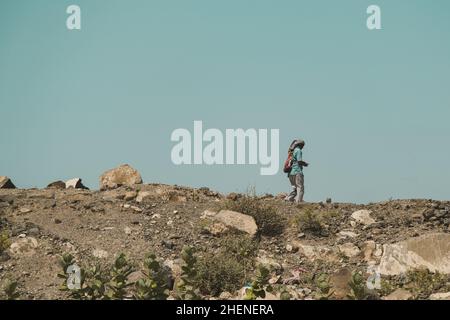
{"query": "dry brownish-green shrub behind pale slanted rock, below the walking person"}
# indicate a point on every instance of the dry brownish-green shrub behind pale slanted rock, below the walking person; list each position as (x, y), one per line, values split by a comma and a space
(268, 220)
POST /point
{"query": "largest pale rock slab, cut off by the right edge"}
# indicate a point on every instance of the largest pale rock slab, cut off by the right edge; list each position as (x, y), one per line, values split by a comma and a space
(430, 251)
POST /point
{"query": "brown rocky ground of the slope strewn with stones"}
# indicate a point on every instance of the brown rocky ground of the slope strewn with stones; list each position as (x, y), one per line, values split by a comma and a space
(316, 253)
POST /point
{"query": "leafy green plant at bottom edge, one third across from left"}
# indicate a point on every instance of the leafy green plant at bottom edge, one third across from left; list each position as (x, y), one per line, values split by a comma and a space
(154, 285)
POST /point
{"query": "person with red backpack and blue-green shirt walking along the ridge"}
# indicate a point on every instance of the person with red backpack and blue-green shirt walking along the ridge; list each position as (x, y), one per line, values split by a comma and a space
(296, 177)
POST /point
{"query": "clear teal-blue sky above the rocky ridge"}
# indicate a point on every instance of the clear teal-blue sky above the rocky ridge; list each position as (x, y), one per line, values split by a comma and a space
(373, 106)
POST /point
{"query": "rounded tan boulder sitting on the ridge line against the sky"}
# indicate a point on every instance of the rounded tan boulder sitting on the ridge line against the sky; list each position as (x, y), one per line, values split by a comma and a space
(123, 175)
